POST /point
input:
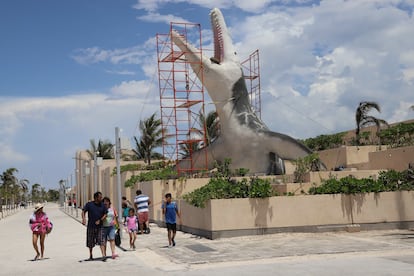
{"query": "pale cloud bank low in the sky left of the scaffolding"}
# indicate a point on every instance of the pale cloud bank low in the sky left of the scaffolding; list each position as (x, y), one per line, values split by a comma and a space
(39, 136)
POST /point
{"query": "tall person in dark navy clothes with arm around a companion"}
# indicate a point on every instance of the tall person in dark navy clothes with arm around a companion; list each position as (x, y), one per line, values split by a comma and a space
(94, 230)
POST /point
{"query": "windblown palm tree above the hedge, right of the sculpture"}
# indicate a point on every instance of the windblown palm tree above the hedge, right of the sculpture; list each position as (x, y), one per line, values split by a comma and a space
(363, 119)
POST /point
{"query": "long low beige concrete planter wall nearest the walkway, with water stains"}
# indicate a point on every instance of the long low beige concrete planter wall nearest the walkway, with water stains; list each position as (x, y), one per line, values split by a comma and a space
(235, 217)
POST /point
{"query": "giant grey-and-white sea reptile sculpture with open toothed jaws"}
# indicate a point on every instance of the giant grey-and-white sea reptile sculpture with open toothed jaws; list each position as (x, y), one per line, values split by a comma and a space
(243, 136)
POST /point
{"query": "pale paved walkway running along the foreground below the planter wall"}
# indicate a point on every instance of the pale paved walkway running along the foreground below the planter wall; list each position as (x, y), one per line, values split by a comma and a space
(341, 253)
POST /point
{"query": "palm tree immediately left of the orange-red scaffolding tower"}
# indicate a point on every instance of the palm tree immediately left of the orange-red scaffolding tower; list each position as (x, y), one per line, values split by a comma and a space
(151, 138)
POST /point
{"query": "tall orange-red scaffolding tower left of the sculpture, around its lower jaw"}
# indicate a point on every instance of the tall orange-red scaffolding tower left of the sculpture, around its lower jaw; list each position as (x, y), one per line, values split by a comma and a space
(181, 100)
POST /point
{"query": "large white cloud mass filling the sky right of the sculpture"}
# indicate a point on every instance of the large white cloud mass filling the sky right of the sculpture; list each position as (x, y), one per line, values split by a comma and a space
(320, 61)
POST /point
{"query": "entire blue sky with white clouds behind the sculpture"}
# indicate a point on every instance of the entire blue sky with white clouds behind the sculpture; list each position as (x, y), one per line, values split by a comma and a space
(74, 70)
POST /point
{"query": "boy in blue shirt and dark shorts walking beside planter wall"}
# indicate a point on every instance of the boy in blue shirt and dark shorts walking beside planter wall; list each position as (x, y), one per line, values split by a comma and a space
(170, 210)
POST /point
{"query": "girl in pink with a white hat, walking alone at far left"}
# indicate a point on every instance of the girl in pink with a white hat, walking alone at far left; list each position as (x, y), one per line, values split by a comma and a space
(40, 226)
